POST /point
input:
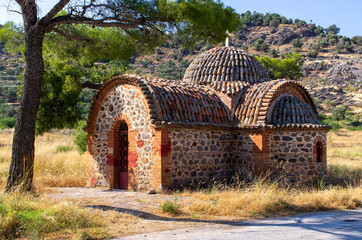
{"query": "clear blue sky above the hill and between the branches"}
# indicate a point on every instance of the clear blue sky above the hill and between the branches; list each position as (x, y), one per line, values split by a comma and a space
(346, 14)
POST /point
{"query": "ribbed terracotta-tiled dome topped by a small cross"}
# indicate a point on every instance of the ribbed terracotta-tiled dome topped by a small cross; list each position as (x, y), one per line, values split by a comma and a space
(226, 69)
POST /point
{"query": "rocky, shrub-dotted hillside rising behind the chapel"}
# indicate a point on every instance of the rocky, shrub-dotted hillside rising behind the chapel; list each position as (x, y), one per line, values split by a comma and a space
(332, 68)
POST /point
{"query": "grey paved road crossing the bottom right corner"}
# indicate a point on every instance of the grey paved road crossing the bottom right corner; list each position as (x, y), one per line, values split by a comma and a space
(322, 225)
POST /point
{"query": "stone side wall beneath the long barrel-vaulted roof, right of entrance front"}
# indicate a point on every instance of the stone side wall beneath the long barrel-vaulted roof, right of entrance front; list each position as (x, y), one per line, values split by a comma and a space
(200, 157)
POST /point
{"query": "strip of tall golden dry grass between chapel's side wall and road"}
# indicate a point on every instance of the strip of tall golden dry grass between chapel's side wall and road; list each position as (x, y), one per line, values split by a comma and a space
(265, 199)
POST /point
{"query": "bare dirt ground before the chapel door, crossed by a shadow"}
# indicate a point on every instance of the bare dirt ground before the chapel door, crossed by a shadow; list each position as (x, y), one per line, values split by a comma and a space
(146, 207)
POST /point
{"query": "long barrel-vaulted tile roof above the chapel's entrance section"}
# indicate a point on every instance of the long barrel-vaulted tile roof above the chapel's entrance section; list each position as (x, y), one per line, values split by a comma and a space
(169, 102)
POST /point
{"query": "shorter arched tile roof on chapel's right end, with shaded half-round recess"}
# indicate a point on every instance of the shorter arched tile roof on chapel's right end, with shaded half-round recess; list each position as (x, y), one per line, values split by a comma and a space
(277, 96)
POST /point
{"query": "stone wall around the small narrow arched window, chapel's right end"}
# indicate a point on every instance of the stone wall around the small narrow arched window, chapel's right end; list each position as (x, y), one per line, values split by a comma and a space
(293, 154)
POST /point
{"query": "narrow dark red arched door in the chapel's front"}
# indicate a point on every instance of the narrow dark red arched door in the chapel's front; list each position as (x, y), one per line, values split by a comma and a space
(123, 156)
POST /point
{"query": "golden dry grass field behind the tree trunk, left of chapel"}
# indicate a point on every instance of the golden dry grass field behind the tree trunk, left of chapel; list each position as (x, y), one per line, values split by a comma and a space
(53, 168)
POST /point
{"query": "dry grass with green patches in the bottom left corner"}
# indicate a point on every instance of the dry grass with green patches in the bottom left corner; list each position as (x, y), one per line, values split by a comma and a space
(26, 216)
